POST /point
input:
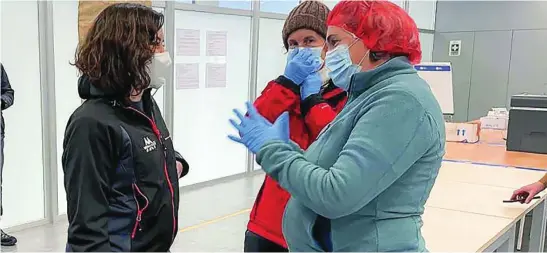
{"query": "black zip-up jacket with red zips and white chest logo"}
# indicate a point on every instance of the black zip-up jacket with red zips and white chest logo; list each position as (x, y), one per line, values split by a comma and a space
(120, 176)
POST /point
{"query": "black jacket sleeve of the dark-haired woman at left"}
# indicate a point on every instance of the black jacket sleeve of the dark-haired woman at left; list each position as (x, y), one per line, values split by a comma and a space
(88, 155)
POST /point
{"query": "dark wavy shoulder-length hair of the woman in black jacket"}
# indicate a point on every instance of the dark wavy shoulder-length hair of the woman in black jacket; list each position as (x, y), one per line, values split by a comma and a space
(118, 48)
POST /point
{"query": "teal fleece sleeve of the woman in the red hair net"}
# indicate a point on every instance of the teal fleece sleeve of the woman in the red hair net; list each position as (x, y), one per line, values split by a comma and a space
(382, 145)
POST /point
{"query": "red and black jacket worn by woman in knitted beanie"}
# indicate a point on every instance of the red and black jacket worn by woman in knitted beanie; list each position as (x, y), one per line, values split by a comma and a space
(306, 119)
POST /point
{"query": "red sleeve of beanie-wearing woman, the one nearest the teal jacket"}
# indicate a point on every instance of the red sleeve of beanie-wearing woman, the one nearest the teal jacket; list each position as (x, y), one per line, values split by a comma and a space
(317, 114)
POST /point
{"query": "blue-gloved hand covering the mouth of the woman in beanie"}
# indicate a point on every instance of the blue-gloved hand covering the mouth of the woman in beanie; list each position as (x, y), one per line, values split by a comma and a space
(301, 65)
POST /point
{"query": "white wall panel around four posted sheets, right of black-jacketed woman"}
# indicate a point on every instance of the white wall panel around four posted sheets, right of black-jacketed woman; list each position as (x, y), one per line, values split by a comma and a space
(201, 114)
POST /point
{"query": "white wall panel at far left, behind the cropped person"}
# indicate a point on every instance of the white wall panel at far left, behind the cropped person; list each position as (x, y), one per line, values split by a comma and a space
(23, 186)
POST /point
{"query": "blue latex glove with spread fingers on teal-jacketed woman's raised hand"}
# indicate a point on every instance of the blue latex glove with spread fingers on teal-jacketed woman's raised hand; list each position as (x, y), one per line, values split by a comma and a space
(255, 130)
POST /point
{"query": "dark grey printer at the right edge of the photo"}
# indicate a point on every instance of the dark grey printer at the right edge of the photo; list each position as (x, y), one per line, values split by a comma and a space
(527, 128)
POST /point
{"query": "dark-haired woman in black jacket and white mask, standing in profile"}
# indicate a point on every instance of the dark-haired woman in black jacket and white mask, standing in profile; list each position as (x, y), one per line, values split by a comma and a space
(120, 169)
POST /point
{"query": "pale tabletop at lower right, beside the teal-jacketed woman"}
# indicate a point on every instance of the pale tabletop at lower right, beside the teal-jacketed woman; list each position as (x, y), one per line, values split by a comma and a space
(474, 193)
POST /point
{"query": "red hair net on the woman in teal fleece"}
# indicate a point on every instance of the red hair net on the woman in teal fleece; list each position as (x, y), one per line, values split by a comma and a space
(381, 25)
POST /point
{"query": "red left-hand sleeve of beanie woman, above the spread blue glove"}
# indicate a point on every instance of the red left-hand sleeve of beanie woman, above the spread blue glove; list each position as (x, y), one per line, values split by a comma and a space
(279, 96)
